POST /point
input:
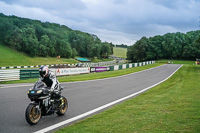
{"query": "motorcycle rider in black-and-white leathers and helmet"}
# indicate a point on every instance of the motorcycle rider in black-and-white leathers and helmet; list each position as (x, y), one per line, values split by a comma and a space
(49, 78)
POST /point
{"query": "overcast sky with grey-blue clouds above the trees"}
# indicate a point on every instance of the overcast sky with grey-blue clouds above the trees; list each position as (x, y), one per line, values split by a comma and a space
(116, 21)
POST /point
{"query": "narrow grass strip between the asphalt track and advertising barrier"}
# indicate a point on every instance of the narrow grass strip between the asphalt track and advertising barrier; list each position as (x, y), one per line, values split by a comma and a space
(90, 76)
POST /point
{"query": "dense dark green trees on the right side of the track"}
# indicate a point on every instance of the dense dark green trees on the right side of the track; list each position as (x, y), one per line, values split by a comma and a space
(169, 46)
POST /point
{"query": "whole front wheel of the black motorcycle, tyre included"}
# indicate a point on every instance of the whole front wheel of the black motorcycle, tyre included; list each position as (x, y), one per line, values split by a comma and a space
(33, 114)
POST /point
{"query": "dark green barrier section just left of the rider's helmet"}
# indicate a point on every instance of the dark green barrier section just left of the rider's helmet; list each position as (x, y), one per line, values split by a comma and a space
(29, 73)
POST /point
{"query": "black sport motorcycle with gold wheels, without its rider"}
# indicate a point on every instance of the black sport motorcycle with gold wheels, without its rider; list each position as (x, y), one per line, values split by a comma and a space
(44, 102)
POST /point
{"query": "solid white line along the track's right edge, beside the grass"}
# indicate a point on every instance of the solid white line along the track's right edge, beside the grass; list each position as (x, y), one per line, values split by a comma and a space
(100, 108)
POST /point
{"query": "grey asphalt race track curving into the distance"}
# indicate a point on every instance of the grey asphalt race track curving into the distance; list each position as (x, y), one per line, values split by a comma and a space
(82, 97)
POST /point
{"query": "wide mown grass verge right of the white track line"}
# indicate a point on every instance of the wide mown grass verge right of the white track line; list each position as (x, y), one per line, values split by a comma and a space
(172, 106)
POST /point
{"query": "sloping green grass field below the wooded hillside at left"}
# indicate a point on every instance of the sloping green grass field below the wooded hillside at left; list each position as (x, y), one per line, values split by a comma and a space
(9, 57)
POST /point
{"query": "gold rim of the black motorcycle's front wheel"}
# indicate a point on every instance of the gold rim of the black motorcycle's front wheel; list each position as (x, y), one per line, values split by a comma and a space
(34, 117)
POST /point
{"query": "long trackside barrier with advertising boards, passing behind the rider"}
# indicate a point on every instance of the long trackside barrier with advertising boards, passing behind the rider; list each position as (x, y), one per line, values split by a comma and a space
(20, 74)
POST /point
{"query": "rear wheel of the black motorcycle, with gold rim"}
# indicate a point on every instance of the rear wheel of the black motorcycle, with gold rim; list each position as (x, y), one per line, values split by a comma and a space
(63, 106)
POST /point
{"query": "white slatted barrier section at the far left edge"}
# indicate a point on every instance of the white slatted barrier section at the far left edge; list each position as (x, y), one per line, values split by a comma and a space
(6, 75)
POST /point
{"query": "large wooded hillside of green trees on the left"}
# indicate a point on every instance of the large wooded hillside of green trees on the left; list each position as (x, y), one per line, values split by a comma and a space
(36, 38)
